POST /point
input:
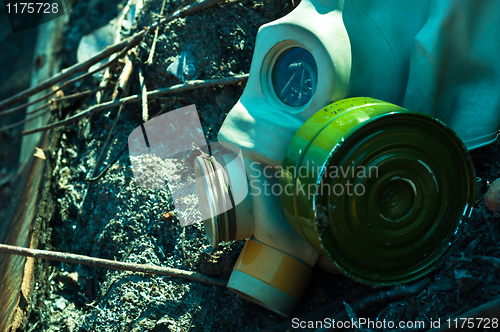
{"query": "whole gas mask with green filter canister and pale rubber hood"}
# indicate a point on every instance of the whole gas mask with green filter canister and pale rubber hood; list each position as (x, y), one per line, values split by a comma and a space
(349, 145)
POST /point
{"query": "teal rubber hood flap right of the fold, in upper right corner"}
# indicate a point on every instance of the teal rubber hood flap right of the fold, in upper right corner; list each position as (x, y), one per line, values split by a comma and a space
(454, 69)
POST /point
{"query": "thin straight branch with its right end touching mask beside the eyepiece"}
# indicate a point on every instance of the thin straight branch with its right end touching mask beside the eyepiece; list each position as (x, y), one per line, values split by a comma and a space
(189, 85)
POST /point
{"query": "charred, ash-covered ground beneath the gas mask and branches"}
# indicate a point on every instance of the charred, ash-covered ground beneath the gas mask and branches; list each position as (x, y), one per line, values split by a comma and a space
(114, 218)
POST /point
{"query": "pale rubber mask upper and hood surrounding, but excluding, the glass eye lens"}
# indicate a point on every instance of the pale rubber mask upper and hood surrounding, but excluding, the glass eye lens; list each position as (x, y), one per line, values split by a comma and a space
(436, 57)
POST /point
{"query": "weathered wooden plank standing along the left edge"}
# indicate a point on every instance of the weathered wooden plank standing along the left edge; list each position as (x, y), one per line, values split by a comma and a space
(17, 276)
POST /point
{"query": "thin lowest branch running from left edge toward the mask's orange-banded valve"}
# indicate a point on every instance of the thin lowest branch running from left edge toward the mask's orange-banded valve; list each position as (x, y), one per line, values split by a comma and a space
(109, 264)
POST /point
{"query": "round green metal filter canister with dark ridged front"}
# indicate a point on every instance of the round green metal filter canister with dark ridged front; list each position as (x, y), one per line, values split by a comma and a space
(378, 189)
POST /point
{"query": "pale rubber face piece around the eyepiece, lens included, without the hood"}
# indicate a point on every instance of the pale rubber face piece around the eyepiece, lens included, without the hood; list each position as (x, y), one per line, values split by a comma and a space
(301, 63)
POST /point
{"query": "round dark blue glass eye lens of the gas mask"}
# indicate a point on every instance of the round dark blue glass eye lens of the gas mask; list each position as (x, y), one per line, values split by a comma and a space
(295, 77)
